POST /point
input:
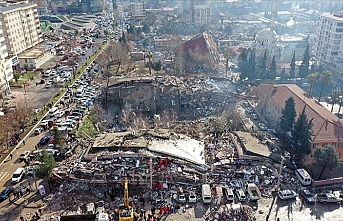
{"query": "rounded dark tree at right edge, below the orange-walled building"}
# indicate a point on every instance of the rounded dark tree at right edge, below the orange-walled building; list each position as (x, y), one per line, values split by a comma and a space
(326, 157)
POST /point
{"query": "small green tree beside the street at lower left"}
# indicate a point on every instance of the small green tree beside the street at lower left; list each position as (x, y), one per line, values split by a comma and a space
(48, 163)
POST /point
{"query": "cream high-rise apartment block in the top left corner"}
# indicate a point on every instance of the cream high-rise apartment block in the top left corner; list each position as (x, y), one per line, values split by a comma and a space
(21, 27)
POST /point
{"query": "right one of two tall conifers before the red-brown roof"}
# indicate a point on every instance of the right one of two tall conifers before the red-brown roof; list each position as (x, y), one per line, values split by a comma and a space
(302, 132)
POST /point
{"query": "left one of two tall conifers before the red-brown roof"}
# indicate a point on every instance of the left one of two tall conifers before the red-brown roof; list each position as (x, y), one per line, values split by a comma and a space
(288, 116)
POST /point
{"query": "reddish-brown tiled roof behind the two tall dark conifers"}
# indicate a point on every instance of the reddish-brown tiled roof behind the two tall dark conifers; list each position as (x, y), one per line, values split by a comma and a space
(327, 127)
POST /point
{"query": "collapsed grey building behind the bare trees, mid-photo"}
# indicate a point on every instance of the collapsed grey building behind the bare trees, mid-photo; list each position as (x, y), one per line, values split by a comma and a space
(197, 96)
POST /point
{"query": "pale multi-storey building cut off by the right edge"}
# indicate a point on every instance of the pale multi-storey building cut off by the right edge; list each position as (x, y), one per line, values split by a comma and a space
(329, 40)
